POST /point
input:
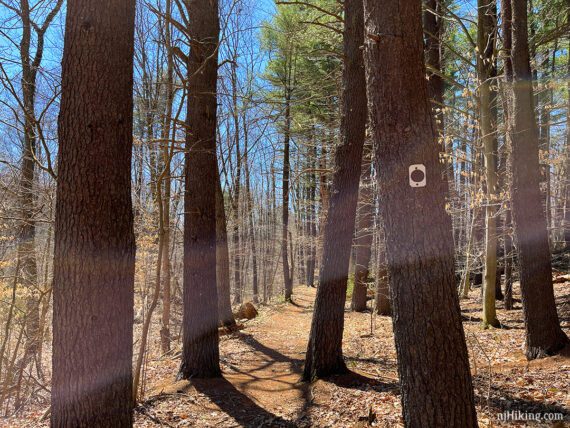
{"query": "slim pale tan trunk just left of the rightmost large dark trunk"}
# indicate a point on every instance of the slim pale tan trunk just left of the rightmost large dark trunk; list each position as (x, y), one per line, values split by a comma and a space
(486, 36)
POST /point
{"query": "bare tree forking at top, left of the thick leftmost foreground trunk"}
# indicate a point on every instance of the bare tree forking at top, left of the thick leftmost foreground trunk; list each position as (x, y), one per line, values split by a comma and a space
(34, 26)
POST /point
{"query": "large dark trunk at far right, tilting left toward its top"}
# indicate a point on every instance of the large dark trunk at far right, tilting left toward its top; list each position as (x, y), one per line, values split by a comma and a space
(543, 333)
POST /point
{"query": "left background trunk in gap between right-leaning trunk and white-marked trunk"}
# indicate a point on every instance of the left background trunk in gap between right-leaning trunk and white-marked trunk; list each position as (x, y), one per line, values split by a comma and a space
(364, 234)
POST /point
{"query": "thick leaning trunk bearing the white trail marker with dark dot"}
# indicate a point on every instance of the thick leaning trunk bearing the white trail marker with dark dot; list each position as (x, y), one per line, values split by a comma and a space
(436, 386)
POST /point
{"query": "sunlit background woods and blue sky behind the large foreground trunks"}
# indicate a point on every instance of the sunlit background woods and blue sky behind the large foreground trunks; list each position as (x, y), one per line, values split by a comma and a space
(279, 119)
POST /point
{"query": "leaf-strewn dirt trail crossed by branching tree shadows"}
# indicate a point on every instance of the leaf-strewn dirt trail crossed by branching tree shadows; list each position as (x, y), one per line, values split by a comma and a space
(261, 371)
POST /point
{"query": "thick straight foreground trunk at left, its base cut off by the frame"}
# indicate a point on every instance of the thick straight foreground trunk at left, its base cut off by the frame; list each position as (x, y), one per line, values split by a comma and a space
(94, 257)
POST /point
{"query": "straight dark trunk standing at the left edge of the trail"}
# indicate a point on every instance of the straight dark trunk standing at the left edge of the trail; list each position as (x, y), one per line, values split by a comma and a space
(200, 353)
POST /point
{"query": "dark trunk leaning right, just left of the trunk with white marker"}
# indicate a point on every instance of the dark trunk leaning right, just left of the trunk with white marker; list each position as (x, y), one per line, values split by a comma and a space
(324, 351)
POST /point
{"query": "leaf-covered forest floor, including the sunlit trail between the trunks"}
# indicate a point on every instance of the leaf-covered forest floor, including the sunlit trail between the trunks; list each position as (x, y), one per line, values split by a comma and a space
(262, 365)
